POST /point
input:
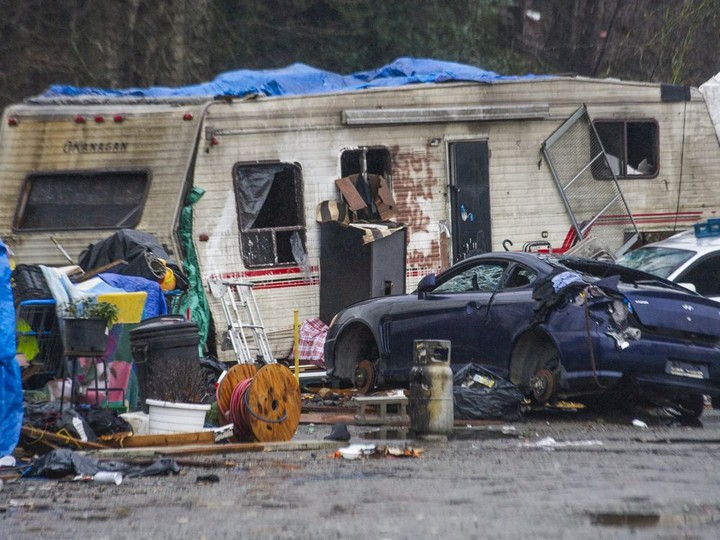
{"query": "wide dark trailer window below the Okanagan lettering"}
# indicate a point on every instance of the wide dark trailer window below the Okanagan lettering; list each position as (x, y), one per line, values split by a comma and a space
(63, 201)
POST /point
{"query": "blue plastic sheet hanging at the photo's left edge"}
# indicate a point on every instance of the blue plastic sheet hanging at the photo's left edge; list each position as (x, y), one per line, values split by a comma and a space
(11, 394)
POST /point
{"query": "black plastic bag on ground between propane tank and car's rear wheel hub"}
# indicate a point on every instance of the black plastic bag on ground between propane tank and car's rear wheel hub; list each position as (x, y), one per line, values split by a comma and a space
(480, 394)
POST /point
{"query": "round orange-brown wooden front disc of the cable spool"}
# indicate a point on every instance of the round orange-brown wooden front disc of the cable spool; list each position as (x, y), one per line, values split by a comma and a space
(273, 406)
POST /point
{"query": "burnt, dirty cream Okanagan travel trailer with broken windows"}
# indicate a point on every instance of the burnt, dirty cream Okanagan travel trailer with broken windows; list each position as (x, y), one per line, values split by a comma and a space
(507, 163)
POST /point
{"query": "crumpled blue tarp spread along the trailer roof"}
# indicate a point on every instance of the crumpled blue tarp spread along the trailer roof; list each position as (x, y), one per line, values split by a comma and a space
(298, 79)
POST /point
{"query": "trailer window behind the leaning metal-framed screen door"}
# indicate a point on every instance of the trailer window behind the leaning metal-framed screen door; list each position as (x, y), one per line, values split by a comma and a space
(631, 147)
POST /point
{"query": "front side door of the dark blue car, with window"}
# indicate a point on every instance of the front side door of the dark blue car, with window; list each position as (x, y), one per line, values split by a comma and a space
(455, 310)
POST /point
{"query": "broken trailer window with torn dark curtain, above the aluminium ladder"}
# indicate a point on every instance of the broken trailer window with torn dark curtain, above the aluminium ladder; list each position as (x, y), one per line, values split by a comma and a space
(270, 214)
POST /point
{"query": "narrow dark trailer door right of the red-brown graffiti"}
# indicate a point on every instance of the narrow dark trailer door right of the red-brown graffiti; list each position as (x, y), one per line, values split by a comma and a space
(469, 198)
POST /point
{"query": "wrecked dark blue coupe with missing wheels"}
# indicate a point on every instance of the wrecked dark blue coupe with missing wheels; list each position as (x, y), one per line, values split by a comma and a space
(556, 327)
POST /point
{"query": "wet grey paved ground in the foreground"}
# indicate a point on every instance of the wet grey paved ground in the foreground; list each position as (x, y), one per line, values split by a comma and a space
(601, 478)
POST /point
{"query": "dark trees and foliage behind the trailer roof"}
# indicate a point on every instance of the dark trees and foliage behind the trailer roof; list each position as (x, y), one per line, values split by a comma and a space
(145, 42)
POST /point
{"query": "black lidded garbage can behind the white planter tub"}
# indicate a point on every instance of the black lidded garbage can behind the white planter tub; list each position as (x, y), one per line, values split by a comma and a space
(167, 361)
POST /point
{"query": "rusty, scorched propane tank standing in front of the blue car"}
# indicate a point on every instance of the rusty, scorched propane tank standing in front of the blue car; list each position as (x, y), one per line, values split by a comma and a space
(431, 389)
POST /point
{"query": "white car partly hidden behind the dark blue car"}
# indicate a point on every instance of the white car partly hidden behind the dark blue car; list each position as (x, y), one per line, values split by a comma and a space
(686, 258)
